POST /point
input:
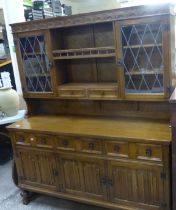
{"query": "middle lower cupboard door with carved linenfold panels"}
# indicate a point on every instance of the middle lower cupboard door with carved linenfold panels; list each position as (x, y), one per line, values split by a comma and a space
(84, 177)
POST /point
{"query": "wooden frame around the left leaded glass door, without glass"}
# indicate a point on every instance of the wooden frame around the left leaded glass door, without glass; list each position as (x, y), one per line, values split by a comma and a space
(47, 36)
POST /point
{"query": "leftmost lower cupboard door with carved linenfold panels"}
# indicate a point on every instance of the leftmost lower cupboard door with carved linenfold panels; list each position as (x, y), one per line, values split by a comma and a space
(37, 169)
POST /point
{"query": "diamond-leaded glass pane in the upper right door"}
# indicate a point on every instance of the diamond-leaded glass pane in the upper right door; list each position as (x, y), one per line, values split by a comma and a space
(143, 58)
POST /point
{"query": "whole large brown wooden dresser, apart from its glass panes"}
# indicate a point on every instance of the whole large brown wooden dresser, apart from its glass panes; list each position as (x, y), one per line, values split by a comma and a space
(110, 153)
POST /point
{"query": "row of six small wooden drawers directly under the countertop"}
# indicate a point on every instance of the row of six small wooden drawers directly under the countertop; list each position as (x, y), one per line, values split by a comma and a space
(113, 148)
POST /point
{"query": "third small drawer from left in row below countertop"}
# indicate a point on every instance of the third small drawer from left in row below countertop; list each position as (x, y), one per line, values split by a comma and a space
(65, 143)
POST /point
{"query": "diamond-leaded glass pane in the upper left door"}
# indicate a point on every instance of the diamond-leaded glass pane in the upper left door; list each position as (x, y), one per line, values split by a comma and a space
(36, 64)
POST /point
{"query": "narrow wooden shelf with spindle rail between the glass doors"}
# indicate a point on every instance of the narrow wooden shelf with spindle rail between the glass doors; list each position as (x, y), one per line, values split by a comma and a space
(99, 52)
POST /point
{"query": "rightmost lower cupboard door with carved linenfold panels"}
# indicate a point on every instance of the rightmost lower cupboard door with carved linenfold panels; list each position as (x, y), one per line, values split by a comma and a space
(137, 184)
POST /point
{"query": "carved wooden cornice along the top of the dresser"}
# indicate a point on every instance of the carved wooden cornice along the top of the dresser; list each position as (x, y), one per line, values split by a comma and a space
(95, 17)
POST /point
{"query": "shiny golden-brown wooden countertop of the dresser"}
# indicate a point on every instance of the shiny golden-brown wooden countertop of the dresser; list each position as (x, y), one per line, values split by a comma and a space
(152, 130)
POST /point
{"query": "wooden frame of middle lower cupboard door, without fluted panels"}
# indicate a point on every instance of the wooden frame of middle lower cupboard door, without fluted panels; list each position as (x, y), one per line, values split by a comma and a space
(80, 159)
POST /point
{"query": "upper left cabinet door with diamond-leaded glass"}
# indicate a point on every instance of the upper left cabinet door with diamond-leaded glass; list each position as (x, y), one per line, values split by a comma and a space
(36, 64)
